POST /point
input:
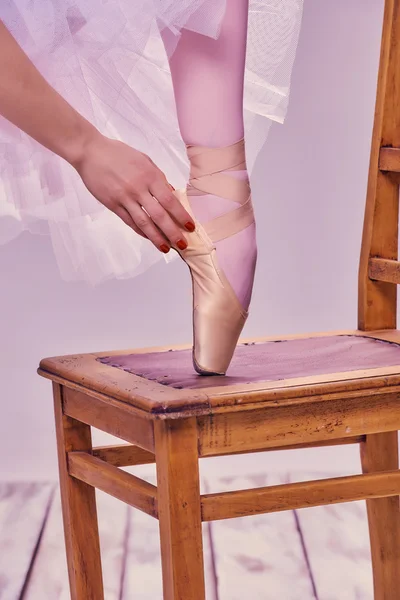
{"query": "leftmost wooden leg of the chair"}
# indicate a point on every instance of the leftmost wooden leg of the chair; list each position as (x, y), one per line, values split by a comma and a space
(79, 509)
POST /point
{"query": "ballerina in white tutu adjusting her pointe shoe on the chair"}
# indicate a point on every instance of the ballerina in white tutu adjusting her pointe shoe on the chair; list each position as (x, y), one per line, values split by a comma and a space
(170, 82)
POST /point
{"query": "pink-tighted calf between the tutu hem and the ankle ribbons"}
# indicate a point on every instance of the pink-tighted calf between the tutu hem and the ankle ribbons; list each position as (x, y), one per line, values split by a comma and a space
(208, 79)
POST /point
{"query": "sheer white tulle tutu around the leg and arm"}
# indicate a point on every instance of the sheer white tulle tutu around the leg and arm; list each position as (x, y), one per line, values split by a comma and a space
(106, 57)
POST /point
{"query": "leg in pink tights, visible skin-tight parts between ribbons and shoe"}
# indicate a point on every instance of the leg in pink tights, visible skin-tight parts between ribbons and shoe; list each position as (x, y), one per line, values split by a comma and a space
(208, 80)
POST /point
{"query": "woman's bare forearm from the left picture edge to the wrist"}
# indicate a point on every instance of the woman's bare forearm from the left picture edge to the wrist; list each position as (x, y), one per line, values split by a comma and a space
(28, 101)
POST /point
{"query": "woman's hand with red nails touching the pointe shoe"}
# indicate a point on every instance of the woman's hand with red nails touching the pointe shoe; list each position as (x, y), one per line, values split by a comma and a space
(127, 181)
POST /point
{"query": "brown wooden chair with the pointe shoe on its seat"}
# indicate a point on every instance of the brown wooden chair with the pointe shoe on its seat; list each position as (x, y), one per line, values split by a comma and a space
(326, 389)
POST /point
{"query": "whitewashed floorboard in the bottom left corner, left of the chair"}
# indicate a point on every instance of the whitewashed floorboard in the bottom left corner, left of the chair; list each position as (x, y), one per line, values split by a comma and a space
(23, 512)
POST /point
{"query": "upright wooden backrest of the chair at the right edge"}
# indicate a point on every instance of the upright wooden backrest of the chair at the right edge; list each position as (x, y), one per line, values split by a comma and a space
(379, 270)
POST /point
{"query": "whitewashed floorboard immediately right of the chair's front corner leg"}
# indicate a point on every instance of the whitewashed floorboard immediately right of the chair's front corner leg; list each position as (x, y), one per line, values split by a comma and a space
(259, 557)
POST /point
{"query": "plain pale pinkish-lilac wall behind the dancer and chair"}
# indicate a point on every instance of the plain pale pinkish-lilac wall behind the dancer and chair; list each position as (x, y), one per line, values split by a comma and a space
(309, 188)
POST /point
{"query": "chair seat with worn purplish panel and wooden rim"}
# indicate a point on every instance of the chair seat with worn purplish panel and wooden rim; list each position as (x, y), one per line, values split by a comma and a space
(162, 380)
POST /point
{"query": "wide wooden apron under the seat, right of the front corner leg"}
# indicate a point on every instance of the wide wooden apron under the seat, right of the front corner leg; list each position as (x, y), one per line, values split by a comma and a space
(243, 431)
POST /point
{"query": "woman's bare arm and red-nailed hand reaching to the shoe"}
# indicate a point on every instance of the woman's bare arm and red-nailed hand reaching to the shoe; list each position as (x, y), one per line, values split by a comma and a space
(123, 179)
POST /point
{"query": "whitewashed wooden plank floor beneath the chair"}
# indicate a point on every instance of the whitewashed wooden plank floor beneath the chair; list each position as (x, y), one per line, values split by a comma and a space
(321, 553)
